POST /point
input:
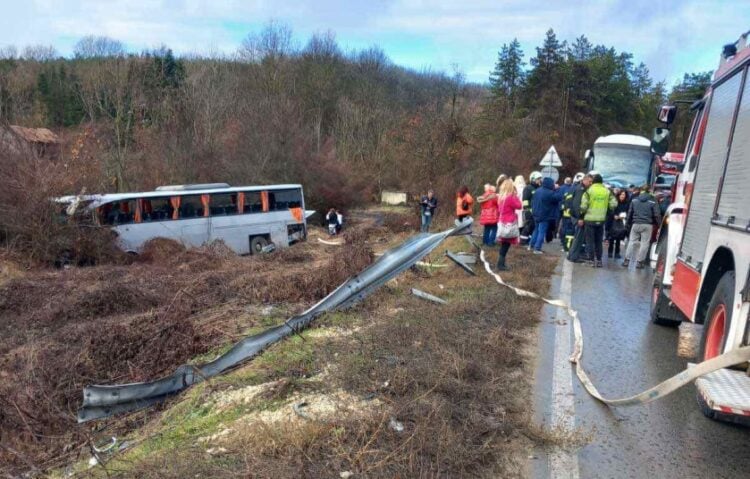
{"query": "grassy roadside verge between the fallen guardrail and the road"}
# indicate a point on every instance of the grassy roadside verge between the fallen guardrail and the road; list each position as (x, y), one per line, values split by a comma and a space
(428, 390)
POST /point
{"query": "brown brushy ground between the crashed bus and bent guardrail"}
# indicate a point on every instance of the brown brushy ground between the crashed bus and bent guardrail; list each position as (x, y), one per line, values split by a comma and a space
(63, 329)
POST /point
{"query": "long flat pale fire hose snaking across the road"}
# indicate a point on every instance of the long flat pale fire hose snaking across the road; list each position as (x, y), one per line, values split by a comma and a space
(661, 390)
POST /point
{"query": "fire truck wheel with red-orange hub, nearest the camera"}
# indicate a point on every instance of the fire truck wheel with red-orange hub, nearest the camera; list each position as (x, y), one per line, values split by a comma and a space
(718, 317)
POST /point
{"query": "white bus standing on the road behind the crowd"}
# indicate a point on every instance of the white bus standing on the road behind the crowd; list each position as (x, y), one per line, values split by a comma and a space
(622, 160)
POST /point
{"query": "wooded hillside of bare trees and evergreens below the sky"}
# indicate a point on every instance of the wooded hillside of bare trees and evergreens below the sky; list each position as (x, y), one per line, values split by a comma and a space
(345, 124)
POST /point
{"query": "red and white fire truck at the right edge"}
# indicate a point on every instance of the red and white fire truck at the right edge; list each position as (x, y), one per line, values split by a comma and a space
(702, 254)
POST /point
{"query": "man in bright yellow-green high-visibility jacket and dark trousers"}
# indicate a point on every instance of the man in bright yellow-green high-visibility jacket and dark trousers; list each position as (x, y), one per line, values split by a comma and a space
(596, 203)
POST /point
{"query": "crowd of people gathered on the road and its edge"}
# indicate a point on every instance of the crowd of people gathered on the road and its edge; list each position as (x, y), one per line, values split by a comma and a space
(582, 212)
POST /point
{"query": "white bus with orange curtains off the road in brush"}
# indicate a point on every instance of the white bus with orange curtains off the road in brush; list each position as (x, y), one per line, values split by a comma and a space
(246, 218)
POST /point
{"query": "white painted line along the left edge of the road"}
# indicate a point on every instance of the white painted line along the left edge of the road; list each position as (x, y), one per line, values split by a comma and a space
(563, 463)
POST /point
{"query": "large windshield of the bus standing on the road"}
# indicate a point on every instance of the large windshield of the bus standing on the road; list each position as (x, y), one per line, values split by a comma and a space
(622, 166)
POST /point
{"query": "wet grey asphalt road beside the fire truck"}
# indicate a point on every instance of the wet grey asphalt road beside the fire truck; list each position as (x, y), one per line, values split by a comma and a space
(624, 354)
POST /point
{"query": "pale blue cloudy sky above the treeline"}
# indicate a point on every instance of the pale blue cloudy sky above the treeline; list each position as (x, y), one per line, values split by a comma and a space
(671, 37)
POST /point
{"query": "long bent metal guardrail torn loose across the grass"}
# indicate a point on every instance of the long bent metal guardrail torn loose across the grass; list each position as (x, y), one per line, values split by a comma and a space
(100, 401)
